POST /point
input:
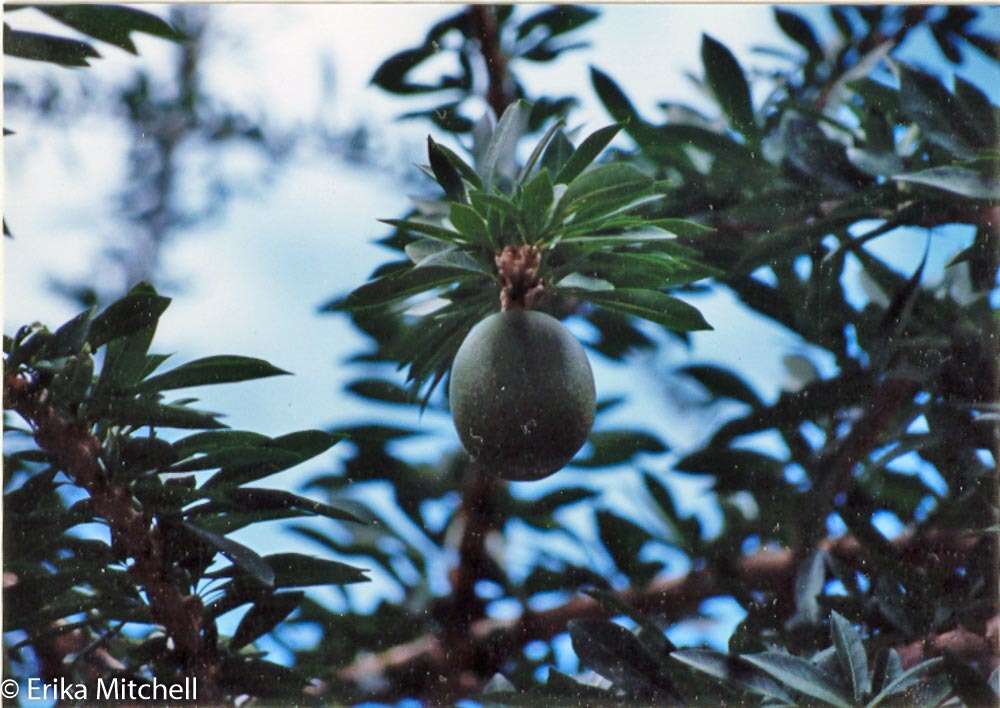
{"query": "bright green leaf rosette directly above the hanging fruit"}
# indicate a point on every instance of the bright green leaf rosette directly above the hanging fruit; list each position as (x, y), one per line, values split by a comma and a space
(580, 228)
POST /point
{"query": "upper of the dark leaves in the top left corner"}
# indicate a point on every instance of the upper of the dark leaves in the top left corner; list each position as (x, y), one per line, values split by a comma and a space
(111, 23)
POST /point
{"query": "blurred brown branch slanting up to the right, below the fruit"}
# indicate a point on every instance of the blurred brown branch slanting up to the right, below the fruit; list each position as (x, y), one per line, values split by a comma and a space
(423, 664)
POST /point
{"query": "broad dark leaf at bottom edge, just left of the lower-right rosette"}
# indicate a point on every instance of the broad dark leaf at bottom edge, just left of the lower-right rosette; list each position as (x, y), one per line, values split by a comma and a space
(617, 655)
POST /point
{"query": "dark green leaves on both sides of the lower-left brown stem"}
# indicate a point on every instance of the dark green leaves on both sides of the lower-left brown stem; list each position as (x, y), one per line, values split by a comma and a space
(116, 399)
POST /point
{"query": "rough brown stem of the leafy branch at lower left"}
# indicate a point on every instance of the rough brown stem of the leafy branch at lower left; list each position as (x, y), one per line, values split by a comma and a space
(77, 452)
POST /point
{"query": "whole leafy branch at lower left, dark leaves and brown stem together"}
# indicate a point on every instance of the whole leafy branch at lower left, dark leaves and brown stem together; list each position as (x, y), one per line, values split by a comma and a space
(107, 445)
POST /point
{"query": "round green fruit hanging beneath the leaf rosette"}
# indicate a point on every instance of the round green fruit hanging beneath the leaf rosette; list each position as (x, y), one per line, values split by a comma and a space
(521, 394)
